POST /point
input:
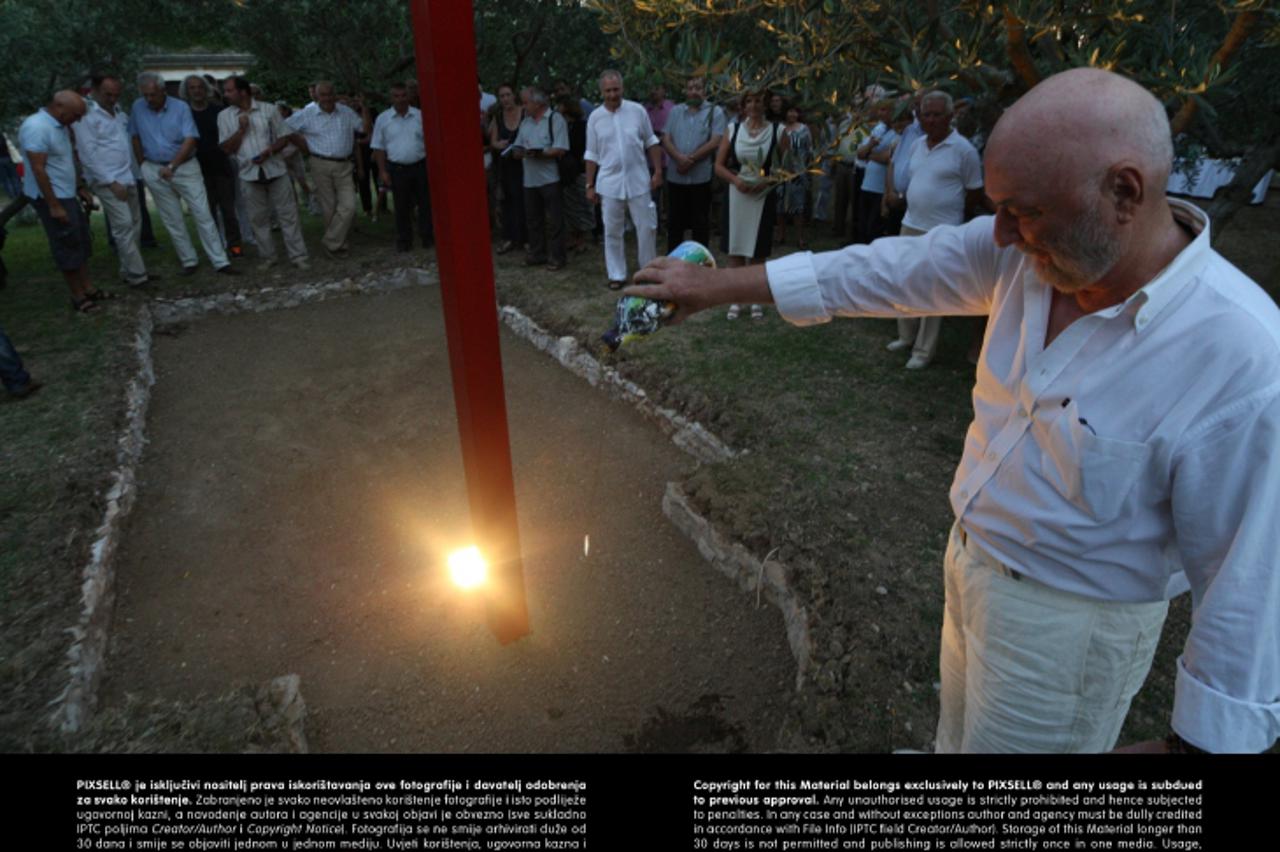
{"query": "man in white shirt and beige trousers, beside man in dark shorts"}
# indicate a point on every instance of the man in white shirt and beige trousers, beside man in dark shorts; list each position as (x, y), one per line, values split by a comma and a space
(107, 158)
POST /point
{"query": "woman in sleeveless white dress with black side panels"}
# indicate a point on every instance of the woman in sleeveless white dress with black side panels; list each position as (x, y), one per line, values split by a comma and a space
(746, 159)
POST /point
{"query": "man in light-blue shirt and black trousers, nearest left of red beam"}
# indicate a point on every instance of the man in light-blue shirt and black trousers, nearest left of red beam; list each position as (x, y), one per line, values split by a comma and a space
(401, 155)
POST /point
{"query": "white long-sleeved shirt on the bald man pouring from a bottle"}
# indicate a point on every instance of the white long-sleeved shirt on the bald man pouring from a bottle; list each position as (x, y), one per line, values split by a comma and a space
(1136, 457)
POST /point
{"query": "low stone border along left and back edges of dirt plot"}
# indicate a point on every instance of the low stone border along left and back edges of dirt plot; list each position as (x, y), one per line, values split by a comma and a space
(79, 699)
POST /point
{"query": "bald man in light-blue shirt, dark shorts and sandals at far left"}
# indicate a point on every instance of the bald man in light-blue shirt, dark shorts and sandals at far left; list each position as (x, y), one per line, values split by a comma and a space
(56, 190)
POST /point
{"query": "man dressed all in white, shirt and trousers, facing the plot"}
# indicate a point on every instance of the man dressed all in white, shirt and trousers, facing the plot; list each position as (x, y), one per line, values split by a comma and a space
(621, 155)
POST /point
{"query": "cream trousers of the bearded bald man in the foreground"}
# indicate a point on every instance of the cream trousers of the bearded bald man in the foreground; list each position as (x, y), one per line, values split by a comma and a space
(1027, 668)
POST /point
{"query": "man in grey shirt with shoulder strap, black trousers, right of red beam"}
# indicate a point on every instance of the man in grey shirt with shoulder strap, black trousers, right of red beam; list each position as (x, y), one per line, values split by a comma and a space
(541, 143)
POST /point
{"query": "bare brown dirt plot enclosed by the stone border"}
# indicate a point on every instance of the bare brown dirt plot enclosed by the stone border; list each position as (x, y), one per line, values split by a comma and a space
(295, 512)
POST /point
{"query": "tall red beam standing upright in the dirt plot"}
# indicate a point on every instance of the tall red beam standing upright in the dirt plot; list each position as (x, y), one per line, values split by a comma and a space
(445, 43)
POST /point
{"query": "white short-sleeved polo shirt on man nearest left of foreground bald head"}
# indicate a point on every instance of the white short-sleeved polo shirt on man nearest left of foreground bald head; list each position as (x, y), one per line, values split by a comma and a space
(940, 178)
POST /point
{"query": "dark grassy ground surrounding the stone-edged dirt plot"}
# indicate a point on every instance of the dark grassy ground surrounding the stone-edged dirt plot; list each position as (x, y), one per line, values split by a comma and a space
(845, 468)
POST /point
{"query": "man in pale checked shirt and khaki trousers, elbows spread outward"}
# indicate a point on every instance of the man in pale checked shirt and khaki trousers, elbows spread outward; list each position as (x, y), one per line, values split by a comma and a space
(330, 134)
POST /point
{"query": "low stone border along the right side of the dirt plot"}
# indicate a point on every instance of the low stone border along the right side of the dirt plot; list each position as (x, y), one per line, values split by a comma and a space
(728, 557)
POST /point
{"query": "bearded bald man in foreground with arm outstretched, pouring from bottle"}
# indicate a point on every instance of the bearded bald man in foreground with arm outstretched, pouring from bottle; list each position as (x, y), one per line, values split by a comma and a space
(1124, 443)
